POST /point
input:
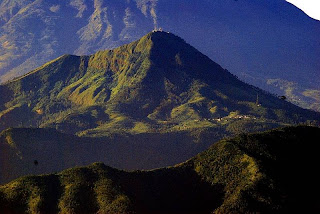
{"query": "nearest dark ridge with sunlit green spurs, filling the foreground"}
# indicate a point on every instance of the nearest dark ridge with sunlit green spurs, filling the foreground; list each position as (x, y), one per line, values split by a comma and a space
(269, 172)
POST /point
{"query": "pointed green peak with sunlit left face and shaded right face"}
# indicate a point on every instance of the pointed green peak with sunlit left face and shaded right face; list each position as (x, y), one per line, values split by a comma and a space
(156, 84)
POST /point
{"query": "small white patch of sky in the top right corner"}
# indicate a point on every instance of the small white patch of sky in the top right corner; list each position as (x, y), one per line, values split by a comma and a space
(310, 7)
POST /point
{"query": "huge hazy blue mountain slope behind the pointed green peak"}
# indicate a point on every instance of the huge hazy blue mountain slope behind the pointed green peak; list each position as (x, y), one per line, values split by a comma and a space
(267, 43)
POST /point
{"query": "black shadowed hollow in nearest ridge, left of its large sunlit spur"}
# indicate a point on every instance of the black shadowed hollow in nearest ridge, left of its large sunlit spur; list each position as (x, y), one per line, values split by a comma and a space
(173, 190)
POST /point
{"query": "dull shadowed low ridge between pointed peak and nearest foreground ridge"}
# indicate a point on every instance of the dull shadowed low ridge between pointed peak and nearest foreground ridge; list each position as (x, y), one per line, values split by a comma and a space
(27, 151)
